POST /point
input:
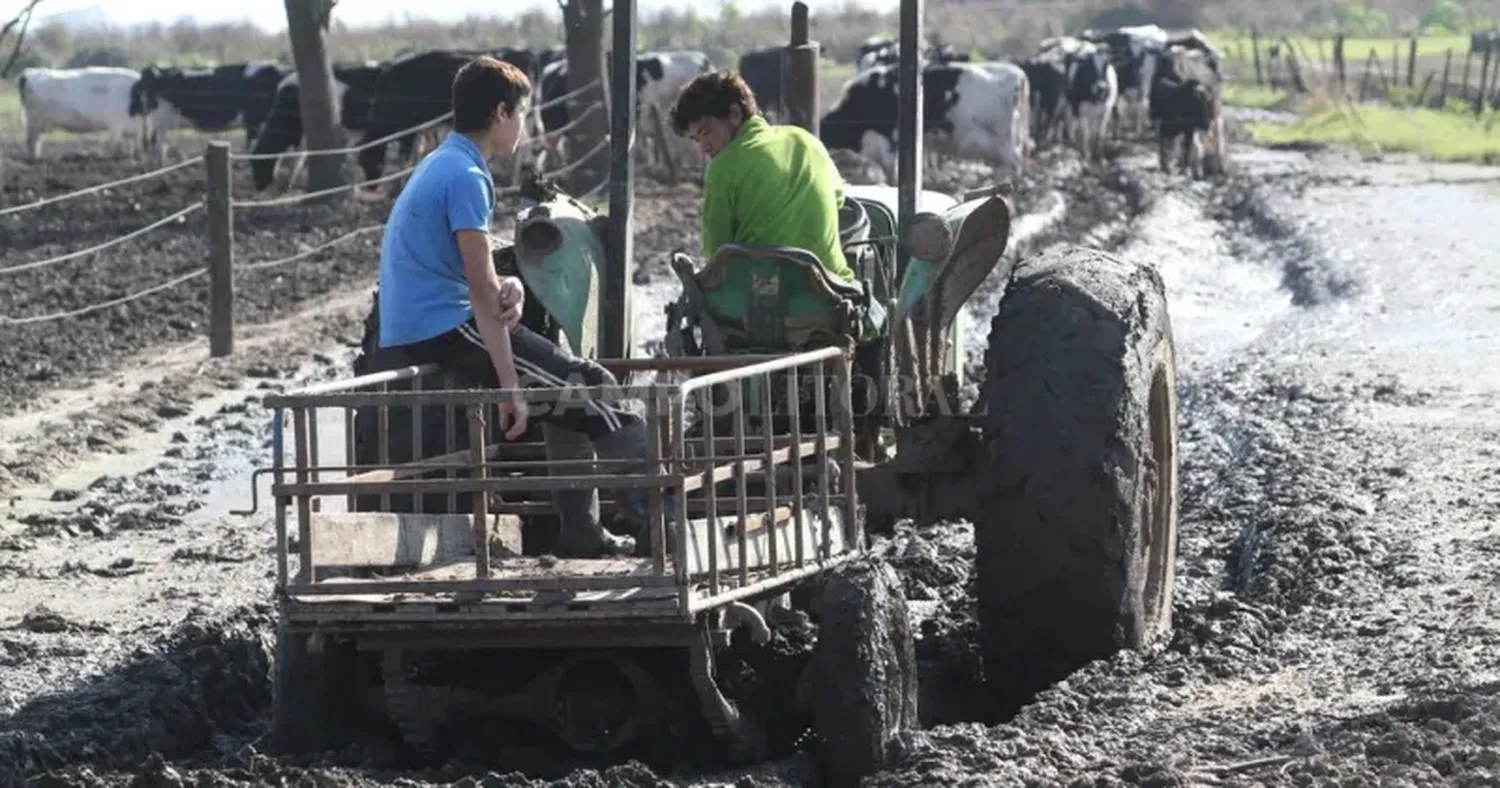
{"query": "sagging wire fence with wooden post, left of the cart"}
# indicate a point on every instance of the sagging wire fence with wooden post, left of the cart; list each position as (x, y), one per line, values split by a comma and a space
(217, 269)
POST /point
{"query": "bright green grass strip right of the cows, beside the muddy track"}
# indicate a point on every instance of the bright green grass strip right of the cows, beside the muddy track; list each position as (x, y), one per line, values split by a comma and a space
(1441, 136)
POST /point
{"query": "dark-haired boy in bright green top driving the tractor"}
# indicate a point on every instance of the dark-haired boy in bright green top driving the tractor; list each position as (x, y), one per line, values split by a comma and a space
(766, 185)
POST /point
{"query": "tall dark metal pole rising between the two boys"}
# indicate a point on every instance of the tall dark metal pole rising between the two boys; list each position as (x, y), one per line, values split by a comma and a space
(616, 292)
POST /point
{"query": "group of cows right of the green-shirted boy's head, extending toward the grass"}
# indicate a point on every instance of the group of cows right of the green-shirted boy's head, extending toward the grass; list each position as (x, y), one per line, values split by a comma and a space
(1078, 89)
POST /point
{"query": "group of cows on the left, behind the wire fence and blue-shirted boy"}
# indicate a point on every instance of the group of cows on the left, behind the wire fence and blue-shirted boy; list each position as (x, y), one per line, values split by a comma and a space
(373, 101)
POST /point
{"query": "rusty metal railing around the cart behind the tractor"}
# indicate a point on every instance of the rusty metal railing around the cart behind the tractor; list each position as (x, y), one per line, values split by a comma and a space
(715, 556)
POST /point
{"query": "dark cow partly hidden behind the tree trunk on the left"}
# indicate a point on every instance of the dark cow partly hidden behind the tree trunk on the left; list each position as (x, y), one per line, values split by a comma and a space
(353, 89)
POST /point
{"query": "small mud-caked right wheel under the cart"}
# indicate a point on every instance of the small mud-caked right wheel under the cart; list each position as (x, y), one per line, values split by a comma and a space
(862, 682)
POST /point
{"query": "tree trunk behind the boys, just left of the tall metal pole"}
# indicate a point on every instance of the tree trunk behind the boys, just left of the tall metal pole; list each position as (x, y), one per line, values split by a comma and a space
(584, 22)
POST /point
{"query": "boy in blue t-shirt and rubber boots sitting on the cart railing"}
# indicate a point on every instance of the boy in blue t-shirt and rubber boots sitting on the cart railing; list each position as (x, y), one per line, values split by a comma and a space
(442, 301)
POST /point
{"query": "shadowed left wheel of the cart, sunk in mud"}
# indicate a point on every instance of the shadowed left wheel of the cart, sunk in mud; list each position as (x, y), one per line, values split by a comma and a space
(311, 694)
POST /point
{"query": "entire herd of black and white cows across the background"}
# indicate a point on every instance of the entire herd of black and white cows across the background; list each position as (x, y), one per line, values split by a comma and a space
(1075, 89)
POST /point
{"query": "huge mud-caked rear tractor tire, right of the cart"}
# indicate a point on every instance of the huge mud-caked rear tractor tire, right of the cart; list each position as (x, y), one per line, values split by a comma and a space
(1079, 538)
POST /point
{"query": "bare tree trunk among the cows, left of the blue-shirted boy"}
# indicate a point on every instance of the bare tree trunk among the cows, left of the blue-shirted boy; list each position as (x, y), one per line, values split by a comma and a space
(308, 26)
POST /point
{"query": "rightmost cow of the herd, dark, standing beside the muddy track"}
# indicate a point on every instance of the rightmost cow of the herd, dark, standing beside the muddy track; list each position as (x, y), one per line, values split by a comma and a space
(1186, 103)
